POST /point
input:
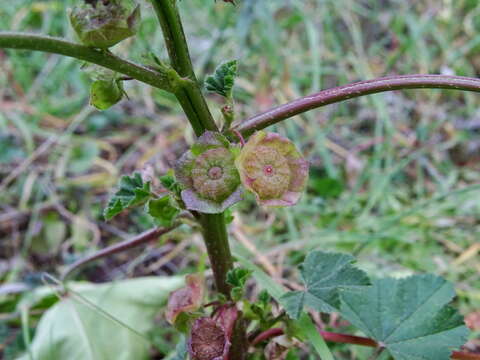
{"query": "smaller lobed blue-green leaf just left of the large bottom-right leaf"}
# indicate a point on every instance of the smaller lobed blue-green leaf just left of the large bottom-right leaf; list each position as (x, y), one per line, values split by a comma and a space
(324, 276)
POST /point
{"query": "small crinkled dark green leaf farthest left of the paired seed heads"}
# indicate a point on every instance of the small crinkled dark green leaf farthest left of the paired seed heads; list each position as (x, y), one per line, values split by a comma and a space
(132, 192)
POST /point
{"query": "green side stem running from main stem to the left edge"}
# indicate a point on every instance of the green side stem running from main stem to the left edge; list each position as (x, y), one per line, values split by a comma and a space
(104, 58)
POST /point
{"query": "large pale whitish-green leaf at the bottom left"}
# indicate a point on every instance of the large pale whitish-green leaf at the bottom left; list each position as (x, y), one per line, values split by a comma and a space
(78, 328)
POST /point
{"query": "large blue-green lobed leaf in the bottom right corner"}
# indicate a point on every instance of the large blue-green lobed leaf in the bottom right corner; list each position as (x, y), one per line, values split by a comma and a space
(408, 316)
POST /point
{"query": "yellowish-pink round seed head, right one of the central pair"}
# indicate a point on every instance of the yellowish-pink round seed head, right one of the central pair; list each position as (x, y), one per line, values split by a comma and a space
(273, 169)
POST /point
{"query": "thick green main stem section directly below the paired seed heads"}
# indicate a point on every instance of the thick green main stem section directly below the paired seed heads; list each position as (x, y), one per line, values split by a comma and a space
(216, 239)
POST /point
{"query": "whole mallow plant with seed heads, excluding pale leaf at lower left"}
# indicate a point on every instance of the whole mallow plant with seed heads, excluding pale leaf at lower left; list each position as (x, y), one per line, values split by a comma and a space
(406, 319)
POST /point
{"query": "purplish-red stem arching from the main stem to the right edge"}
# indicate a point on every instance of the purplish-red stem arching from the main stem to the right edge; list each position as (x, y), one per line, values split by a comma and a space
(341, 93)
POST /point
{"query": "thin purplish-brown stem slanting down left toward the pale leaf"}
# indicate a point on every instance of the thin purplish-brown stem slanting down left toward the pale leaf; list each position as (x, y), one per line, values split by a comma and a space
(141, 239)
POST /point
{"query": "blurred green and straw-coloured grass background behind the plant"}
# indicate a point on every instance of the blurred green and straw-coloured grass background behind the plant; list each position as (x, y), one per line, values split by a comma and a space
(395, 177)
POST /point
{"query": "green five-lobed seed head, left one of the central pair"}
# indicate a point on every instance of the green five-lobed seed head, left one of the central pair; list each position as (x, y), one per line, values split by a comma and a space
(208, 175)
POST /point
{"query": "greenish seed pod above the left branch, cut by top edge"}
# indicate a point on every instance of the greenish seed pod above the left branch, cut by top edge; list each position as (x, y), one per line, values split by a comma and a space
(104, 23)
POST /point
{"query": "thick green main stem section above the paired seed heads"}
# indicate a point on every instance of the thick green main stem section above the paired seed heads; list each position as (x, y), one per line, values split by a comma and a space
(189, 93)
